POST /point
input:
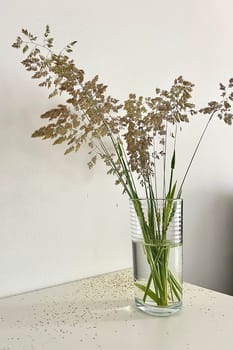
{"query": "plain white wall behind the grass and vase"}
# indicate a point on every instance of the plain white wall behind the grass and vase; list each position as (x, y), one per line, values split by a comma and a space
(61, 222)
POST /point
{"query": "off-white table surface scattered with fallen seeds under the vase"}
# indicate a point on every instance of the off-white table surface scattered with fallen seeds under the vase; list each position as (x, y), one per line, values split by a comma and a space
(99, 313)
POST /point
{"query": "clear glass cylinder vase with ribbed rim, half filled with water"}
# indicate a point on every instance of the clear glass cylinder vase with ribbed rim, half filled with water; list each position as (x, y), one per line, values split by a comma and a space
(157, 241)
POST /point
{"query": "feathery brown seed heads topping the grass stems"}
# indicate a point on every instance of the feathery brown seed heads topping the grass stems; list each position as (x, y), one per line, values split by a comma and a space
(141, 124)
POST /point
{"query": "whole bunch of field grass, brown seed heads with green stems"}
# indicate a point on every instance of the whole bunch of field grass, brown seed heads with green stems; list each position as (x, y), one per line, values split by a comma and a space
(136, 139)
